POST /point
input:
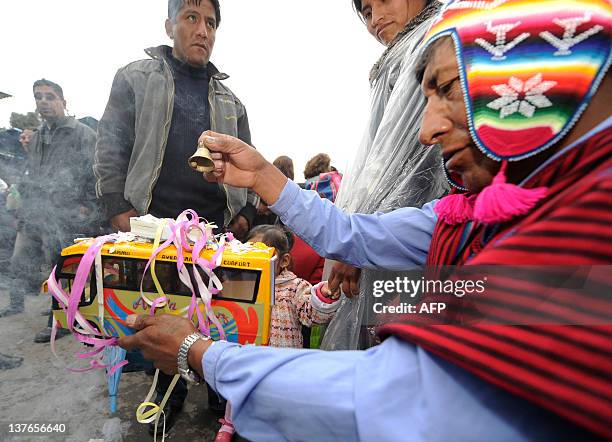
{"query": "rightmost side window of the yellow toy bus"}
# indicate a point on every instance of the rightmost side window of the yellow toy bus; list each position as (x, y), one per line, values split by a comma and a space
(238, 284)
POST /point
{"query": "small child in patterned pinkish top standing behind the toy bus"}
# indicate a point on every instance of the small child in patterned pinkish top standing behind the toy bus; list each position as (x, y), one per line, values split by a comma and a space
(297, 304)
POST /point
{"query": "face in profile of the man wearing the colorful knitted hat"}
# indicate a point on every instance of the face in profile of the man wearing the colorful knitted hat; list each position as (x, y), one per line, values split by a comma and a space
(445, 122)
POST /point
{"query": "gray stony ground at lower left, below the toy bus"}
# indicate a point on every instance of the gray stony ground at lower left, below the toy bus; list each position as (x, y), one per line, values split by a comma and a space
(42, 390)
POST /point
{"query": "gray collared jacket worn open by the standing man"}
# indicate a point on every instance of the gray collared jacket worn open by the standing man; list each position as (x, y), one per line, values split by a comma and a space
(133, 133)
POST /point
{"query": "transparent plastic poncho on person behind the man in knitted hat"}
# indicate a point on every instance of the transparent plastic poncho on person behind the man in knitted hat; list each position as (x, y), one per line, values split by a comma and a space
(391, 169)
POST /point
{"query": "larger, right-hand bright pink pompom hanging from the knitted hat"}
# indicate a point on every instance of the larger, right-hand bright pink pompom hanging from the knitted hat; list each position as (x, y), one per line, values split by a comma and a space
(501, 201)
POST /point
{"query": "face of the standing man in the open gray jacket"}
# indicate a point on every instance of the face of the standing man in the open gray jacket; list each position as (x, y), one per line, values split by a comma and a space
(194, 32)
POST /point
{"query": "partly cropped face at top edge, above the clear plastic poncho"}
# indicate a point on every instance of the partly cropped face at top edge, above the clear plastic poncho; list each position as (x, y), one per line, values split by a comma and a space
(386, 18)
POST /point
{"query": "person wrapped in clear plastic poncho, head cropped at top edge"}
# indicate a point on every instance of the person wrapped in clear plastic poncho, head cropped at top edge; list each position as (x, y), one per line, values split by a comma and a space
(392, 168)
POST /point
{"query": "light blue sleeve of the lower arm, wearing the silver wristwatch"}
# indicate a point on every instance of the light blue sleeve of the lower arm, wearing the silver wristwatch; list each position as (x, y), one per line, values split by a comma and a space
(391, 392)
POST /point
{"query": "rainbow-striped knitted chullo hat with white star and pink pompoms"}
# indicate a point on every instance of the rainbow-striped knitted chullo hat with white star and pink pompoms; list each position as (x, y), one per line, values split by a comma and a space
(528, 70)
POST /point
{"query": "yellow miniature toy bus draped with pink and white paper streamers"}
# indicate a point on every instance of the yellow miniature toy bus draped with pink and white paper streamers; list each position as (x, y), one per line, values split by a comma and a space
(243, 306)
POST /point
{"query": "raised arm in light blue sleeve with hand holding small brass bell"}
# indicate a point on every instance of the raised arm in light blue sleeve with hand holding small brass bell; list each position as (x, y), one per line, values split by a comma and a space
(397, 240)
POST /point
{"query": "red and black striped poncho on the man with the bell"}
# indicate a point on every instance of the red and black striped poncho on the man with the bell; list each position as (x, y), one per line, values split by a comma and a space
(564, 368)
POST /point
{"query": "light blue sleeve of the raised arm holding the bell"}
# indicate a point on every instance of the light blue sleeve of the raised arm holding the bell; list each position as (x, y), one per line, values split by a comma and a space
(396, 240)
